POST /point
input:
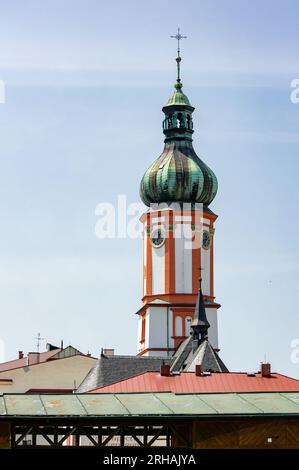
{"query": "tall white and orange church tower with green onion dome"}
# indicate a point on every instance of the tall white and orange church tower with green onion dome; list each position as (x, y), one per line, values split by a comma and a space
(178, 235)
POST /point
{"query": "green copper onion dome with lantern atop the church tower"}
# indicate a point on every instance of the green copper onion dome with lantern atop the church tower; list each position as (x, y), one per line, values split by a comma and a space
(178, 175)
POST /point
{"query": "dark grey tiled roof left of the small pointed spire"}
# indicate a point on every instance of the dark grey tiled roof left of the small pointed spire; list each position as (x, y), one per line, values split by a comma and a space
(114, 368)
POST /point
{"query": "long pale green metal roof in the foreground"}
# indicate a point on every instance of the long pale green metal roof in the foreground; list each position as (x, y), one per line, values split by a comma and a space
(149, 404)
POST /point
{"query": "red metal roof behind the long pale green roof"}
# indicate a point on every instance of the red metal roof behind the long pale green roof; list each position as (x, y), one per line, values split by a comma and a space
(188, 382)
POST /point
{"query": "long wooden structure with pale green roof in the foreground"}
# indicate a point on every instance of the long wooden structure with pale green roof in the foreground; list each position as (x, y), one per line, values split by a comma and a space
(198, 421)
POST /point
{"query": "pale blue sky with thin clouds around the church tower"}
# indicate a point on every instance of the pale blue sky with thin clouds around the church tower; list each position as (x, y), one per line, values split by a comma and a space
(85, 84)
